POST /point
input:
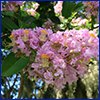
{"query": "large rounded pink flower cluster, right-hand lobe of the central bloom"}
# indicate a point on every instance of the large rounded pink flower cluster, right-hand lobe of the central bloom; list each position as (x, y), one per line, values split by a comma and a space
(64, 56)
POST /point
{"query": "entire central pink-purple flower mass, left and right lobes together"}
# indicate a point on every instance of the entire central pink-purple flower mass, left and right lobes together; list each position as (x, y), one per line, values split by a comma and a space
(61, 57)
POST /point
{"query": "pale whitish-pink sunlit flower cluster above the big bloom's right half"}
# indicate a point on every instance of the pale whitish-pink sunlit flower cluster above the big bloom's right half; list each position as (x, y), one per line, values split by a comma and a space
(79, 21)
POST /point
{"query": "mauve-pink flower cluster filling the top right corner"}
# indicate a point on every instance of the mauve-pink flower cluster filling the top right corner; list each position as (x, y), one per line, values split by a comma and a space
(92, 8)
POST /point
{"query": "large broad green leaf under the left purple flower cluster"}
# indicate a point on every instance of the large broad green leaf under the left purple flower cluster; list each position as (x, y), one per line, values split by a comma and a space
(12, 65)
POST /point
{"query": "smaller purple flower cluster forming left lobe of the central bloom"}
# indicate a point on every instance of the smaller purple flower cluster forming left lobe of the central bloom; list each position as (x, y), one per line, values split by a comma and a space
(26, 40)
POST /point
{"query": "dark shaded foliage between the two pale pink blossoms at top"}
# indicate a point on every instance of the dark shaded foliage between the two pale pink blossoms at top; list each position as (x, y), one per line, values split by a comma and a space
(47, 7)
